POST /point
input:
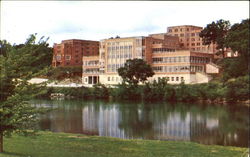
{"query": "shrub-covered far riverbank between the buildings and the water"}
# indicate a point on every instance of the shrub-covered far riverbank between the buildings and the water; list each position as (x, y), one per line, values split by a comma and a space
(234, 91)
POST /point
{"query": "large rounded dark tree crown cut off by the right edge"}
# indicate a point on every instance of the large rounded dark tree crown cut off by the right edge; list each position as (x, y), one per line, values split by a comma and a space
(238, 39)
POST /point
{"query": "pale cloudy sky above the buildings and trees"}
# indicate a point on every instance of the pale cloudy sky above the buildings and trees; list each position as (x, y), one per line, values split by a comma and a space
(97, 20)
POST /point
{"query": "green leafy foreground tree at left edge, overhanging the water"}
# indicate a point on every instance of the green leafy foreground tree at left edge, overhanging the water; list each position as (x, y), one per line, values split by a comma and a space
(17, 66)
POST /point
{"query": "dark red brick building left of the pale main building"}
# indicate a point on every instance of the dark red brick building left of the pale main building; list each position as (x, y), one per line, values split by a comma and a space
(70, 52)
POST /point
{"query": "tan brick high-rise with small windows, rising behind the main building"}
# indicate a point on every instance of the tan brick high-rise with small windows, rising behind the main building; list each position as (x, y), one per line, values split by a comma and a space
(190, 39)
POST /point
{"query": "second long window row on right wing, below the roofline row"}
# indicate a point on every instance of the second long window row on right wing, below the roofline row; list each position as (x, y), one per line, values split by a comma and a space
(187, 68)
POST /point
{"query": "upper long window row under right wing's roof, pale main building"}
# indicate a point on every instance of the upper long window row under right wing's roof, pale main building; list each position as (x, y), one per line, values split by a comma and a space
(178, 59)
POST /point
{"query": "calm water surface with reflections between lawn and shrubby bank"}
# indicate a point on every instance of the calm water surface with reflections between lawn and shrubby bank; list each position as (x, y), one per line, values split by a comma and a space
(206, 124)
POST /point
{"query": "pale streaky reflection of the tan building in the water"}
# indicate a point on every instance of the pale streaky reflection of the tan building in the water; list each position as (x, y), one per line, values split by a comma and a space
(173, 126)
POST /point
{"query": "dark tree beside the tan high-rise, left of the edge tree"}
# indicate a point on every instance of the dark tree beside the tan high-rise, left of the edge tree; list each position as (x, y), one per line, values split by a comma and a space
(216, 33)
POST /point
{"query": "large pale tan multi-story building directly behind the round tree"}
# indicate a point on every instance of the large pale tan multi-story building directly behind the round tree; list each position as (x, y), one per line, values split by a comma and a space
(161, 51)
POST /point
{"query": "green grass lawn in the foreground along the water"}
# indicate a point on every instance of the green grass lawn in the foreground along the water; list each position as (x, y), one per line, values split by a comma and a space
(48, 144)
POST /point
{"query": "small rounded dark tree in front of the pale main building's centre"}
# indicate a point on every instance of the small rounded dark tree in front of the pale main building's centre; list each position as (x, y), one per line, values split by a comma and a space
(135, 71)
